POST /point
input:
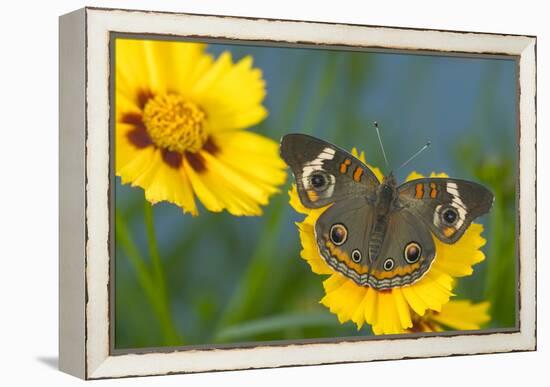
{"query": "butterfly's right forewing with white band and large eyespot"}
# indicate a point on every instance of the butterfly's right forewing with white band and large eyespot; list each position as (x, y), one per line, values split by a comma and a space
(446, 206)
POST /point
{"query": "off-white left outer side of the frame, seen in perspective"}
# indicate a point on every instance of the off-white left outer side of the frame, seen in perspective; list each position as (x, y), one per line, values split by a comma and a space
(72, 232)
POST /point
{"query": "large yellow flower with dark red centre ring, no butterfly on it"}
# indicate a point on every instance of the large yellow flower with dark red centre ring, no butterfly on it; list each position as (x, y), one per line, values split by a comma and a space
(180, 116)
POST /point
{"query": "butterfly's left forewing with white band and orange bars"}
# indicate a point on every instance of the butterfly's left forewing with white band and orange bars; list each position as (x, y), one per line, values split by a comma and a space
(325, 173)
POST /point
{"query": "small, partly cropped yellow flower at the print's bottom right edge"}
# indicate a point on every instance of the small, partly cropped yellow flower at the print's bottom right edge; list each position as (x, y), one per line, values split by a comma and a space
(455, 315)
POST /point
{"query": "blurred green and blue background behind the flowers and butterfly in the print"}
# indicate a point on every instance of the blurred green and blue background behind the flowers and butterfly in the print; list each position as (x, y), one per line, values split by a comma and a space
(216, 278)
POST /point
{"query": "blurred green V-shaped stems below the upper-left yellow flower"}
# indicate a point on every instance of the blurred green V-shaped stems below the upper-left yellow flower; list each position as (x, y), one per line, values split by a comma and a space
(151, 279)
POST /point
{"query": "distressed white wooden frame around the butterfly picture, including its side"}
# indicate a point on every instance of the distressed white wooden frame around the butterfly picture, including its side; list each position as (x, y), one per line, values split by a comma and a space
(85, 193)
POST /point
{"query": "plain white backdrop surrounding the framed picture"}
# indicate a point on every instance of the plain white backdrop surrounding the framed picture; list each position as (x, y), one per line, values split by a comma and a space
(28, 190)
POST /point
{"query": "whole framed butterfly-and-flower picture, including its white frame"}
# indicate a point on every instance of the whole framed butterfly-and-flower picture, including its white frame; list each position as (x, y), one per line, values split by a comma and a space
(242, 193)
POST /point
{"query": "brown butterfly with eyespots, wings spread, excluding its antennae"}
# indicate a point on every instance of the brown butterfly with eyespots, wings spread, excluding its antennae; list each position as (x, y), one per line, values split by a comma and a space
(378, 233)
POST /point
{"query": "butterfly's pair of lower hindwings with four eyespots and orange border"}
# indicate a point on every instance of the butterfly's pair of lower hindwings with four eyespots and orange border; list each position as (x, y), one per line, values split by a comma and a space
(344, 232)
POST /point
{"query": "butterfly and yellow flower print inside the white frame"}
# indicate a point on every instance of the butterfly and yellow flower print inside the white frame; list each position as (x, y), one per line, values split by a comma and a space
(268, 194)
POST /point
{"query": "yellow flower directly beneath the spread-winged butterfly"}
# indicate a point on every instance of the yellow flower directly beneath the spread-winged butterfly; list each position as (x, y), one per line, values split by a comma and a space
(390, 311)
